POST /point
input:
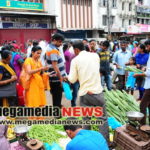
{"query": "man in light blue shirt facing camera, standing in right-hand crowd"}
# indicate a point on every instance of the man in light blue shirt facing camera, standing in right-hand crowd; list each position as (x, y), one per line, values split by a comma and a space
(120, 59)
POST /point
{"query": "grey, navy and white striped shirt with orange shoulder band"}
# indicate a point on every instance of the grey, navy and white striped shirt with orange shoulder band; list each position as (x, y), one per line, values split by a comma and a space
(53, 54)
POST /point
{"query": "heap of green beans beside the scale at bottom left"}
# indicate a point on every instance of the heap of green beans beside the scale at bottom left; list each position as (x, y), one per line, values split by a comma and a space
(45, 133)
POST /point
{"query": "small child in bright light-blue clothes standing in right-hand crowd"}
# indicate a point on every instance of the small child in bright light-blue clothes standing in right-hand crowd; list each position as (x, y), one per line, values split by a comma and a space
(130, 83)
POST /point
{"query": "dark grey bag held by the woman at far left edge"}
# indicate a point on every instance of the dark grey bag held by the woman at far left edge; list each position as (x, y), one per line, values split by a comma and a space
(8, 90)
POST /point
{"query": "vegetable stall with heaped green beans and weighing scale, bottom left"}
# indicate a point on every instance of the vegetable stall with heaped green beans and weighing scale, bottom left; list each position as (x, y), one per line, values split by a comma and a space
(38, 137)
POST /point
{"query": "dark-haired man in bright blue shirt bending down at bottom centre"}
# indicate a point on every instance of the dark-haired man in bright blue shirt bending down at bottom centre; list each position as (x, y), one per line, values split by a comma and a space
(84, 139)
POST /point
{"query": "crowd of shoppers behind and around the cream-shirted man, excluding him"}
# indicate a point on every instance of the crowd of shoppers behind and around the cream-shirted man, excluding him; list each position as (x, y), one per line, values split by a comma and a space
(48, 62)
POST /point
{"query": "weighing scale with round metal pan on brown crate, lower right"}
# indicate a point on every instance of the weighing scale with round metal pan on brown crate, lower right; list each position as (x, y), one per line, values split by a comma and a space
(132, 135)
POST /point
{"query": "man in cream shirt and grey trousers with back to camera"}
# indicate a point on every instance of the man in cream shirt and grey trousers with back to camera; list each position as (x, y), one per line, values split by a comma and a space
(85, 69)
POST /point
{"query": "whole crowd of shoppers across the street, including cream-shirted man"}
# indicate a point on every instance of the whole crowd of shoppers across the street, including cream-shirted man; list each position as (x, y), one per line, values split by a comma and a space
(89, 67)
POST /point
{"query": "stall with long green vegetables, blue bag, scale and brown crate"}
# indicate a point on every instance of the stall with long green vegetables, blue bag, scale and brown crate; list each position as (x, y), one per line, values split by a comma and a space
(125, 122)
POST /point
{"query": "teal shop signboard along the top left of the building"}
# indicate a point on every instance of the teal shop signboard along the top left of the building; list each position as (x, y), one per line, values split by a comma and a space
(12, 4)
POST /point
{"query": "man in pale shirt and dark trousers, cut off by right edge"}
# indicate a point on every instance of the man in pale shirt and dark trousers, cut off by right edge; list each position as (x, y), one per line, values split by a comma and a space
(145, 103)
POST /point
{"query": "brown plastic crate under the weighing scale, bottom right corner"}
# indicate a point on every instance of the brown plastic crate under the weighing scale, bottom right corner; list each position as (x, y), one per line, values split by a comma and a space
(126, 142)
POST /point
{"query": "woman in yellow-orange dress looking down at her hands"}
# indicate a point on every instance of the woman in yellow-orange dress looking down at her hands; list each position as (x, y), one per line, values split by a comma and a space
(33, 82)
